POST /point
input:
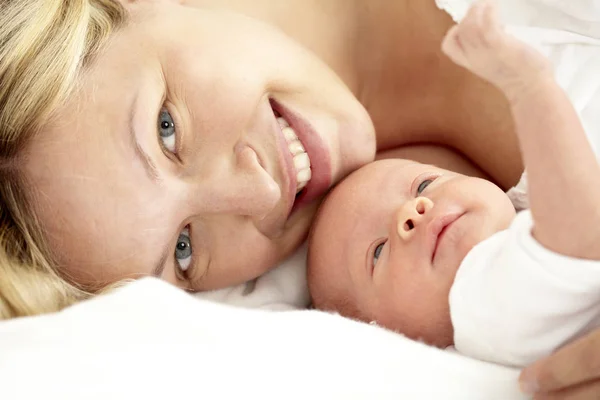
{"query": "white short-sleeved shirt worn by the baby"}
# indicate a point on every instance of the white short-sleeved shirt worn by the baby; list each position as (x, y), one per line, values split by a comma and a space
(513, 301)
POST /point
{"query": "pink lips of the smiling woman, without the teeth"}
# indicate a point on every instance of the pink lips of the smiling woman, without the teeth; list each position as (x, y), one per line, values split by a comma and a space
(317, 152)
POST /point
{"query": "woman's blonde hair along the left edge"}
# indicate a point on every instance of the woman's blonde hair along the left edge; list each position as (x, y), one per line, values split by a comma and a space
(44, 45)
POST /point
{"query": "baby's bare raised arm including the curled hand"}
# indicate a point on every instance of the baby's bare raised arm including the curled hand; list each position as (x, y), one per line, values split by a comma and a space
(563, 172)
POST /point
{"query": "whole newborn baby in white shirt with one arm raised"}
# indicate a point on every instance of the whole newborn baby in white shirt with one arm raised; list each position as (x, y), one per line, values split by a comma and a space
(443, 257)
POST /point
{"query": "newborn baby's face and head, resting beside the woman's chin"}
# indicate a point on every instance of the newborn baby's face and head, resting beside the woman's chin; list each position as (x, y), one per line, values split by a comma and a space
(393, 235)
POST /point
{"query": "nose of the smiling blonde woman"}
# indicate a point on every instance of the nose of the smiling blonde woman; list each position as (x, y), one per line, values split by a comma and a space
(240, 186)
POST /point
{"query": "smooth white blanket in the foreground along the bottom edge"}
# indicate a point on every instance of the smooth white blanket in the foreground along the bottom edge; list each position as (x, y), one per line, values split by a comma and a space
(151, 340)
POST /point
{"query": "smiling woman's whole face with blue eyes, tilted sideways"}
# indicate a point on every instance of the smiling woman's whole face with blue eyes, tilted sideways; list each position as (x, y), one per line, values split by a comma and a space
(169, 158)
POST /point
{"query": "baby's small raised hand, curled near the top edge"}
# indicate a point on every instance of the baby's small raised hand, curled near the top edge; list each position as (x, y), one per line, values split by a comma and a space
(480, 44)
